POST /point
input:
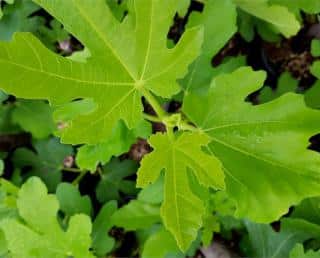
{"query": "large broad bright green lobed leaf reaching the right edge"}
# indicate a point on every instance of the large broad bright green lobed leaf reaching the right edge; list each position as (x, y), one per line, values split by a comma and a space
(257, 144)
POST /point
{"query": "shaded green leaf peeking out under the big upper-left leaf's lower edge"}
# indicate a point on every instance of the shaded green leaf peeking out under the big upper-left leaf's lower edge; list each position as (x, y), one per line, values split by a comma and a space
(34, 117)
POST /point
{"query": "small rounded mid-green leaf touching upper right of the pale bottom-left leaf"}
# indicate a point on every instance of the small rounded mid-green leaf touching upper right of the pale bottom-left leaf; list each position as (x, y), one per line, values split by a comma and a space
(70, 200)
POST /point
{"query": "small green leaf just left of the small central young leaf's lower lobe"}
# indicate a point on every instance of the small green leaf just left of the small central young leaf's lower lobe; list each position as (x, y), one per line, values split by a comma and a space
(136, 215)
